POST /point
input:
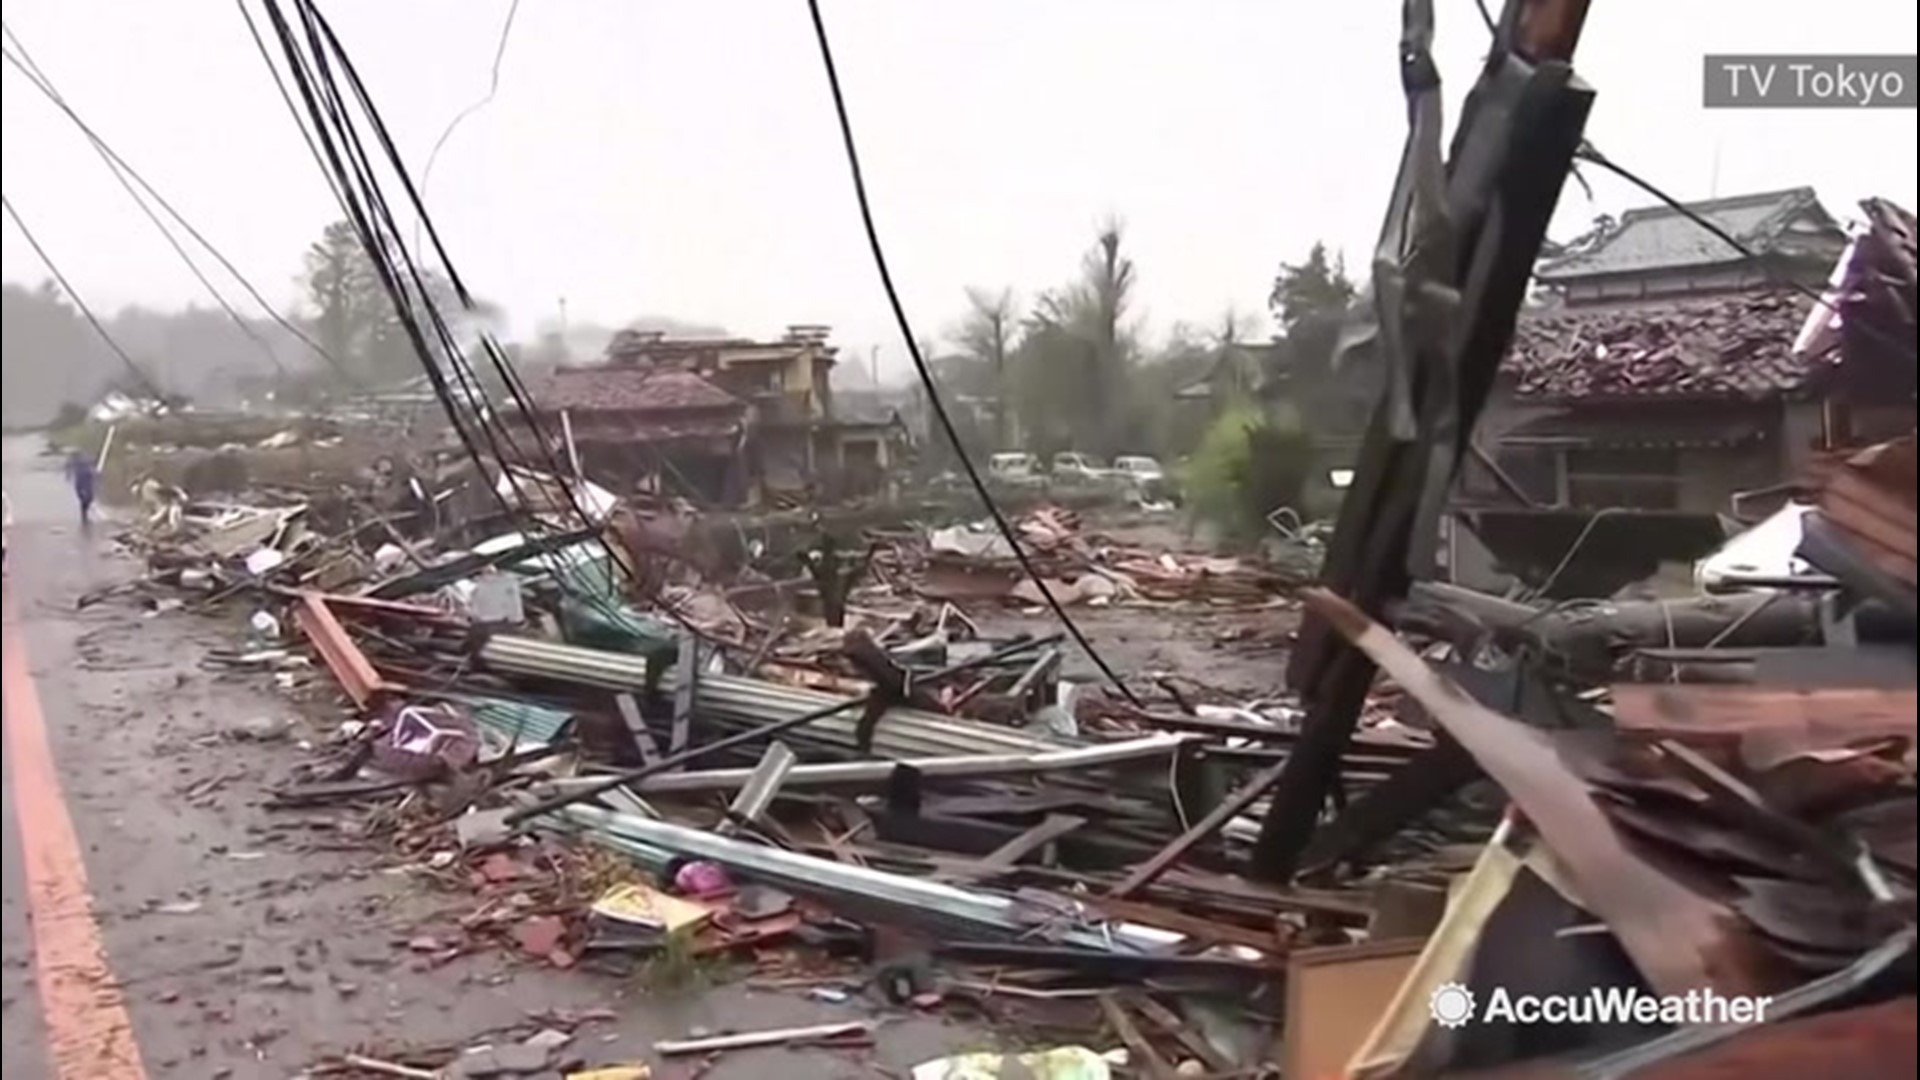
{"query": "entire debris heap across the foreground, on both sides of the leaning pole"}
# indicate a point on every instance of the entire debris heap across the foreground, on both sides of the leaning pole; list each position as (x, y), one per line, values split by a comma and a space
(629, 773)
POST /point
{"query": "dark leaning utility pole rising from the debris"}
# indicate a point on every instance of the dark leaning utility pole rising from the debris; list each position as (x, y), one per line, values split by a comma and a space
(1449, 280)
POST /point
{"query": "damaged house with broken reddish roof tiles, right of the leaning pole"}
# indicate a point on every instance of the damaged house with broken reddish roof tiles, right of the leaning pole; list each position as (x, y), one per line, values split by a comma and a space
(1668, 380)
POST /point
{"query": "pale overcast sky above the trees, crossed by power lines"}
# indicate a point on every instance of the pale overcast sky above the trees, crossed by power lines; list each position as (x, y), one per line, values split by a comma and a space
(681, 159)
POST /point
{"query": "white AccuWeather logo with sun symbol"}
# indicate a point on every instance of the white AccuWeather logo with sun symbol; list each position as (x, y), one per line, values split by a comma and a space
(1454, 1006)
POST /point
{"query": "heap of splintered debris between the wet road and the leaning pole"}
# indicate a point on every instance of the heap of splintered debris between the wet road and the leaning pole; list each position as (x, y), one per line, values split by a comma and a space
(612, 766)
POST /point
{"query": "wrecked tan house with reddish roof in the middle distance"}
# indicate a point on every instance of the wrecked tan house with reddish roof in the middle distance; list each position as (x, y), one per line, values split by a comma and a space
(721, 420)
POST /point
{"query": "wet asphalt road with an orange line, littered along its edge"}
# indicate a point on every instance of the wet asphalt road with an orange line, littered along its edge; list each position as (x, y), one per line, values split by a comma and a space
(247, 945)
